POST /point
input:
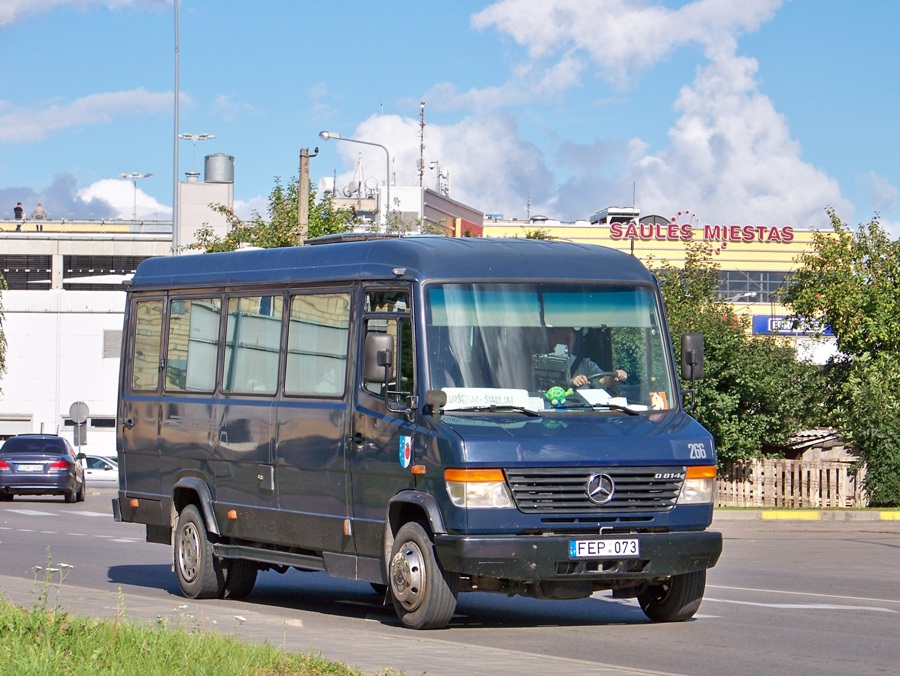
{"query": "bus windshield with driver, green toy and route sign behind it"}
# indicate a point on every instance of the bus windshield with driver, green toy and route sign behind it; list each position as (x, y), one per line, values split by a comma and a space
(548, 346)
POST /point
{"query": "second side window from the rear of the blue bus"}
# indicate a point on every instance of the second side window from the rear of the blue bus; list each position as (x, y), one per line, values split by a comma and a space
(193, 345)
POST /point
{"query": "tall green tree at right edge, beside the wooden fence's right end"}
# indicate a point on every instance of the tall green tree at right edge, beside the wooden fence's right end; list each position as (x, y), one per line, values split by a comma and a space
(850, 282)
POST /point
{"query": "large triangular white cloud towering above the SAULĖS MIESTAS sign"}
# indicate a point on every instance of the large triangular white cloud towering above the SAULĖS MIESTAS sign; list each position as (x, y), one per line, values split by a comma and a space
(732, 159)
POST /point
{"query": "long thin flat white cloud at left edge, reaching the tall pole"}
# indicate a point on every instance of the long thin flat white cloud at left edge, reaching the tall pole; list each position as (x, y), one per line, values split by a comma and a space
(26, 125)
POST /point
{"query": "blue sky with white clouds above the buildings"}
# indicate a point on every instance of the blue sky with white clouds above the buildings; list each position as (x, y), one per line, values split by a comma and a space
(764, 112)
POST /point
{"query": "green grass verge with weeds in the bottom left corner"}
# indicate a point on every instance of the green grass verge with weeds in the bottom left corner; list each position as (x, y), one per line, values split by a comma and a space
(46, 640)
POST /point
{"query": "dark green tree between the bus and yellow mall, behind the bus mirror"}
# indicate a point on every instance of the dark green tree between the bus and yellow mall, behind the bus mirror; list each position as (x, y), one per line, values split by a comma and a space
(754, 394)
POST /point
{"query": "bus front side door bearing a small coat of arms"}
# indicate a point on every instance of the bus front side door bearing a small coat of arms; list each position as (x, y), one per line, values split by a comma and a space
(381, 437)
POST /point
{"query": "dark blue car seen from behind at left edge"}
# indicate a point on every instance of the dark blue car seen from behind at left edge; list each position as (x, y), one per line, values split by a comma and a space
(40, 464)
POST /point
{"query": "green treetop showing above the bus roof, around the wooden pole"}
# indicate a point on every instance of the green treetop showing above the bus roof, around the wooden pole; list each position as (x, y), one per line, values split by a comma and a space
(282, 228)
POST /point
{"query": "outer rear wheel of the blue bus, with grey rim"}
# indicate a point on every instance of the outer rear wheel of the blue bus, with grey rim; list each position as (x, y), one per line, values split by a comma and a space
(200, 573)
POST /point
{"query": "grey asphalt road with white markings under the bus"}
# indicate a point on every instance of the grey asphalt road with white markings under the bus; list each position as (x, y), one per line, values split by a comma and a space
(793, 597)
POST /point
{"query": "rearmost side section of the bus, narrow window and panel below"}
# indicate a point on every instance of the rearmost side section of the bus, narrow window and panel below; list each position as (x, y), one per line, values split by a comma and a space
(139, 401)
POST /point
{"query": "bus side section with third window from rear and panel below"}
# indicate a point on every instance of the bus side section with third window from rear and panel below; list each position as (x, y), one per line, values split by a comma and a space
(244, 465)
